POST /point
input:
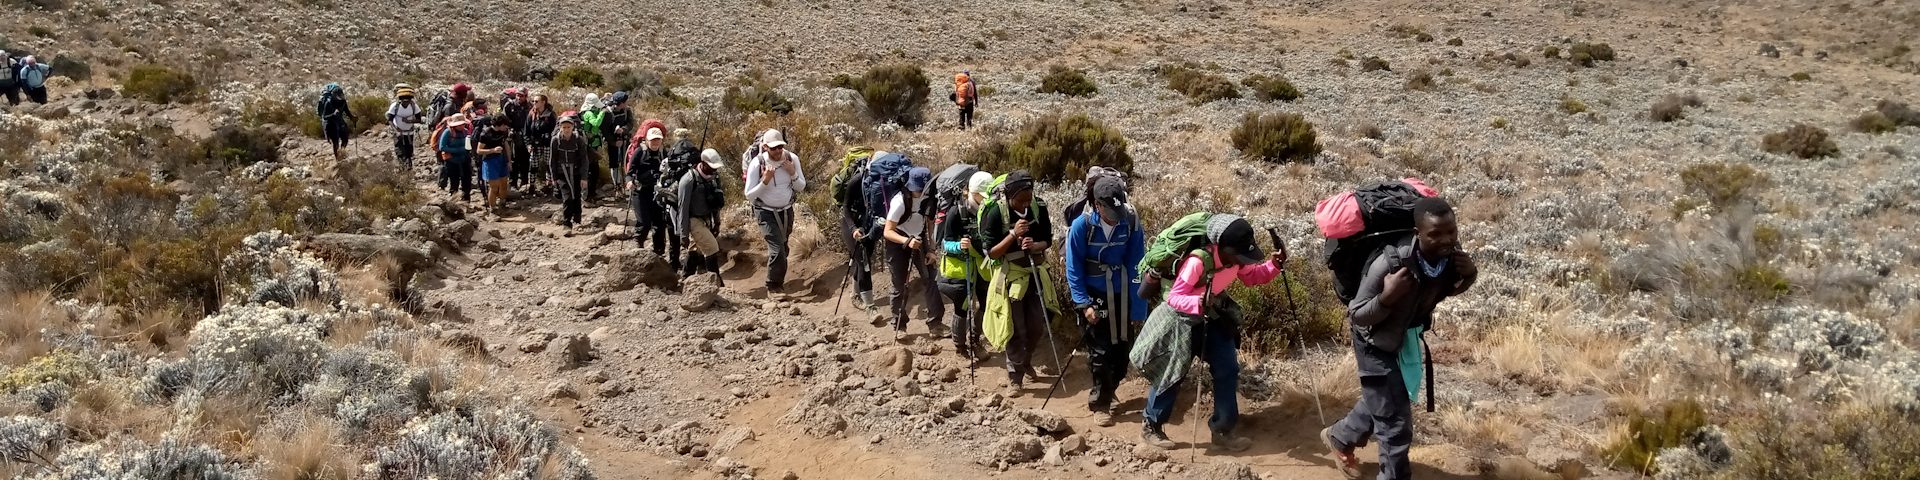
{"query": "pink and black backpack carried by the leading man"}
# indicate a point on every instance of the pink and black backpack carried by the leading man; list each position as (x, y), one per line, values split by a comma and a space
(1360, 224)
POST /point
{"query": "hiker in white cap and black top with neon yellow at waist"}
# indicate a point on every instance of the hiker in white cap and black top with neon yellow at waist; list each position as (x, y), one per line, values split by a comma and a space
(961, 266)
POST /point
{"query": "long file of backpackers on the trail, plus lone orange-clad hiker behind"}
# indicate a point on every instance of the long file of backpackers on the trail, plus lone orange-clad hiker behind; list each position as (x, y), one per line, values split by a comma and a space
(984, 243)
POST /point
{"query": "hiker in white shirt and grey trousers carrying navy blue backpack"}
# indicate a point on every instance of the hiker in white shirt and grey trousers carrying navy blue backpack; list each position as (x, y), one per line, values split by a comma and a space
(907, 252)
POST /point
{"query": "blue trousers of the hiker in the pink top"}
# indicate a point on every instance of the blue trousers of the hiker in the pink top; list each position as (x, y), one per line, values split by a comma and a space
(1216, 345)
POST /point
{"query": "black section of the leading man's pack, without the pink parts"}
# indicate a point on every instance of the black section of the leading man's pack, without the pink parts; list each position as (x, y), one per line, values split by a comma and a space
(1387, 210)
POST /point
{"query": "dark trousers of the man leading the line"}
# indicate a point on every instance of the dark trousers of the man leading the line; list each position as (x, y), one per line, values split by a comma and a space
(1383, 412)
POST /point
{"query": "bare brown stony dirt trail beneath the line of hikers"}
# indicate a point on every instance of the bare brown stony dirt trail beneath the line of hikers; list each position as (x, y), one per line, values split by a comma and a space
(527, 277)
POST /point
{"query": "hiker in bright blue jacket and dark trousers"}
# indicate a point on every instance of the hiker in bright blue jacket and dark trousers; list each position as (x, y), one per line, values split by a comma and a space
(1103, 254)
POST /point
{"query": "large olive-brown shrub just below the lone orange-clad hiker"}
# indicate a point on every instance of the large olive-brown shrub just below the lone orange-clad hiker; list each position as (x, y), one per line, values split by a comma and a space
(1059, 149)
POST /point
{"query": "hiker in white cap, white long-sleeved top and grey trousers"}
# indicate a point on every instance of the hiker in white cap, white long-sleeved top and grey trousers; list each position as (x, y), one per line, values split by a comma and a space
(775, 183)
